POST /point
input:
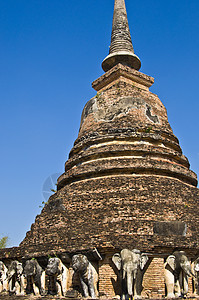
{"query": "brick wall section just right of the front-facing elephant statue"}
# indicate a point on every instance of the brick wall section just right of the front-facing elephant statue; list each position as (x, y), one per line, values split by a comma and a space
(153, 281)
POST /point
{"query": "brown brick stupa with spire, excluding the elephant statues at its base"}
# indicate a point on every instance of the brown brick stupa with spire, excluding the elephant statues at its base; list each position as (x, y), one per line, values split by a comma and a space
(126, 183)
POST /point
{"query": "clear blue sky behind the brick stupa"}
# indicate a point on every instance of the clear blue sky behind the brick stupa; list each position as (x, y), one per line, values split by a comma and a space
(50, 52)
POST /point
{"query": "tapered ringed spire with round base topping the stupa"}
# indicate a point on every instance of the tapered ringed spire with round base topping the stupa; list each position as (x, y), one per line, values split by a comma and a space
(121, 49)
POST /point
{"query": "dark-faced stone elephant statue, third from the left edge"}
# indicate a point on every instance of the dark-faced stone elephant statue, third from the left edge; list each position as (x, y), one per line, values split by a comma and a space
(35, 277)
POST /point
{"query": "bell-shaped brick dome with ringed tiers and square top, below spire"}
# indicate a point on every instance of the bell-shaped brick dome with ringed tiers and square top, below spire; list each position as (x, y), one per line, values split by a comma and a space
(125, 130)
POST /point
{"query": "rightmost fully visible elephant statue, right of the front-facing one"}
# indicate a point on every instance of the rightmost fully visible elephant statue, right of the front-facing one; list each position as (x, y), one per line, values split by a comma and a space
(176, 273)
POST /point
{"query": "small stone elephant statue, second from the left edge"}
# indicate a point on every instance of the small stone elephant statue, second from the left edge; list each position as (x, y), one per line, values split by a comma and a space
(16, 278)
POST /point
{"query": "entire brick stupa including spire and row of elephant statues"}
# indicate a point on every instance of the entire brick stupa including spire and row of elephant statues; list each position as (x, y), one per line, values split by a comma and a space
(124, 220)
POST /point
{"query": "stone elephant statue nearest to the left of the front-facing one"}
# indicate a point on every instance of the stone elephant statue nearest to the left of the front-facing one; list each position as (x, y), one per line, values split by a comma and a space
(87, 274)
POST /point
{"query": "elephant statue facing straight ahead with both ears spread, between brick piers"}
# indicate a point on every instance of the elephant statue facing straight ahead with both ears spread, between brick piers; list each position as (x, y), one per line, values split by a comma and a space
(129, 263)
